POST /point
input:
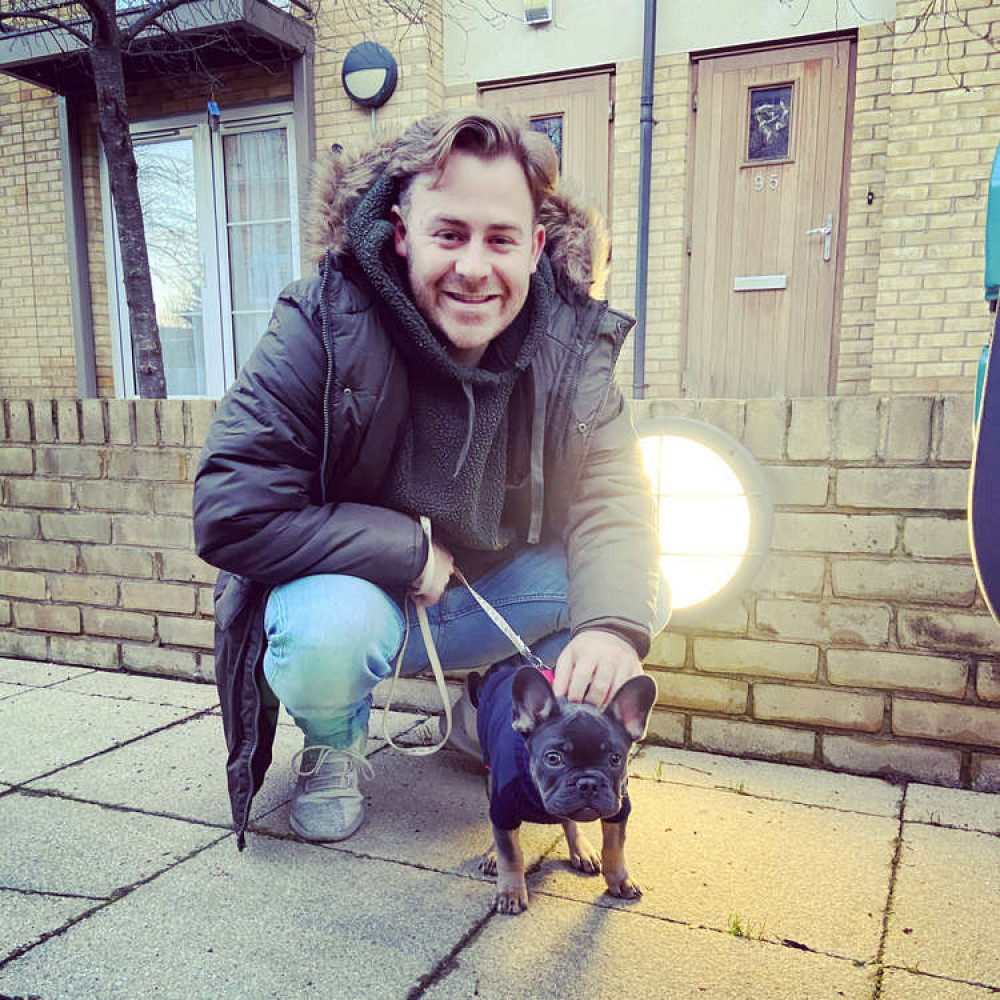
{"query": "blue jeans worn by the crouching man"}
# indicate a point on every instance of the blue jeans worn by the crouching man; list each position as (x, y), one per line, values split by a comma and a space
(332, 638)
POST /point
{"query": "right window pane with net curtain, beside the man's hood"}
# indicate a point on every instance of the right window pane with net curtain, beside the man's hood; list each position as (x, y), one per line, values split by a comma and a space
(258, 202)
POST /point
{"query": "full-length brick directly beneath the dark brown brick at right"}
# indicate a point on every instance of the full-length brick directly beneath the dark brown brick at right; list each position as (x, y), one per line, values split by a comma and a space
(900, 671)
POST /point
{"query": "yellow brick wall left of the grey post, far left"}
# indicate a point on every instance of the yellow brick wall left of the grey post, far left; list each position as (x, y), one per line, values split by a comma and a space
(36, 328)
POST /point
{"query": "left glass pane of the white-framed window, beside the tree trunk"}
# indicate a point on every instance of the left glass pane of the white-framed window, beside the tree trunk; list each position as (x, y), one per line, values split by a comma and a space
(166, 190)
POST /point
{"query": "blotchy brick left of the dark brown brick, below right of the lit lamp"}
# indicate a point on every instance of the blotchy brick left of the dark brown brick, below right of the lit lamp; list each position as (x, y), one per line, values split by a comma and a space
(836, 623)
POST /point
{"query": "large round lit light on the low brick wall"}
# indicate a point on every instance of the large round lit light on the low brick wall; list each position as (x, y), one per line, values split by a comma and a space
(713, 511)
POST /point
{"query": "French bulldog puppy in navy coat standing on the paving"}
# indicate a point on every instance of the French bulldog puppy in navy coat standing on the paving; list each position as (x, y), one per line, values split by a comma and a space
(555, 761)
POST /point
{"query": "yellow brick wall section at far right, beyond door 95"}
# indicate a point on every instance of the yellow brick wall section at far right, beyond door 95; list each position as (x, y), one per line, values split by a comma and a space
(930, 320)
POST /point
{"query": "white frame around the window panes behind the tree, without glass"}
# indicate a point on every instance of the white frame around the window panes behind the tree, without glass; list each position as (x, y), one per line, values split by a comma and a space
(220, 362)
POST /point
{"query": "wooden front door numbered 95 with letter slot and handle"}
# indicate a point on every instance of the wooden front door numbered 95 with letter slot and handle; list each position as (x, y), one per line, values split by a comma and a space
(765, 221)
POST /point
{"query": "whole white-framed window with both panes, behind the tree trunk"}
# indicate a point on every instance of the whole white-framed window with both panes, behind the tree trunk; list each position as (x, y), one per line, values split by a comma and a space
(221, 230)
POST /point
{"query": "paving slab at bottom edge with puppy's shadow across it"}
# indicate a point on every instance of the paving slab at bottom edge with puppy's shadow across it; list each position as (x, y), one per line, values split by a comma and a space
(559, 949)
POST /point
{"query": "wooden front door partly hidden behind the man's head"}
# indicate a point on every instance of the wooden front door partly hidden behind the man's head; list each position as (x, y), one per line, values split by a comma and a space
(575, 112)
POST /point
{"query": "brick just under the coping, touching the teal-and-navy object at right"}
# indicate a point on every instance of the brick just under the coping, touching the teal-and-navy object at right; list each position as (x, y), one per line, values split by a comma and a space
(914, 489)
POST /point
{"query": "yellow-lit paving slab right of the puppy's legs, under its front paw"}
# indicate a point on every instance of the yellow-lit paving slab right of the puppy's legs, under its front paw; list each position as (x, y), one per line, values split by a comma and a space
(819, 877)
